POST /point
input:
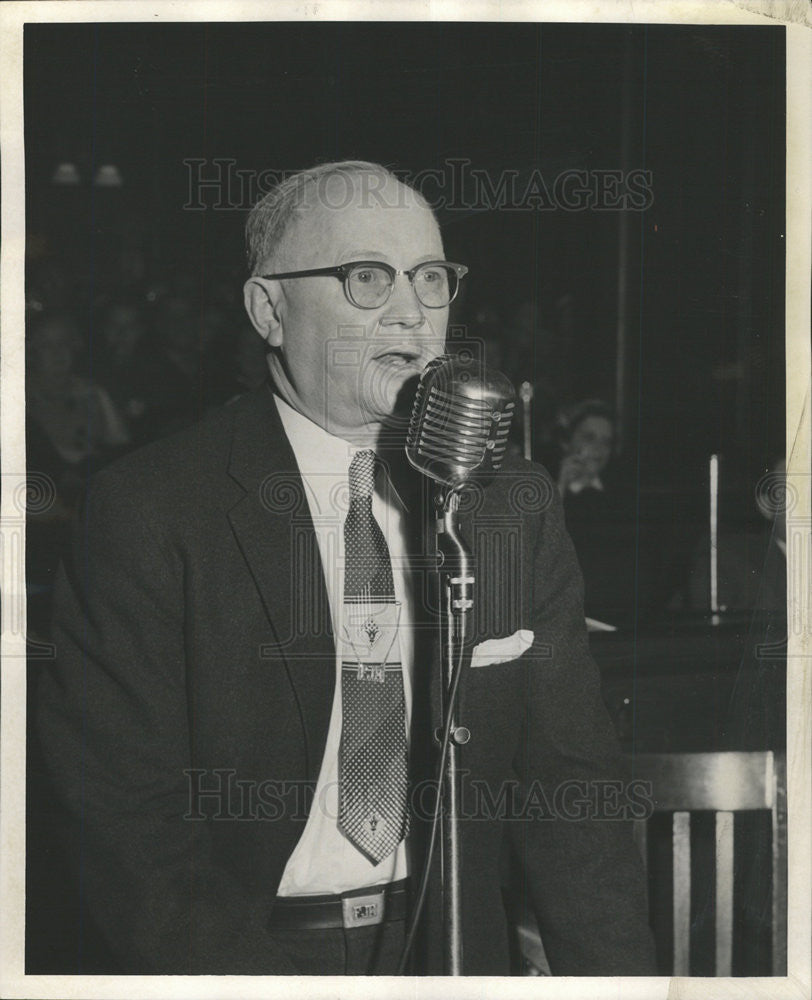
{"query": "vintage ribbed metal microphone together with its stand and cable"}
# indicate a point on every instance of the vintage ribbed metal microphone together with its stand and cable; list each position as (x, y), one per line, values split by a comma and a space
(457, 433)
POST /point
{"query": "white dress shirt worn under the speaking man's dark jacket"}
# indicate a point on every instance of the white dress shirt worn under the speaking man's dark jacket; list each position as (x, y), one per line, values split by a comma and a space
(324, 861)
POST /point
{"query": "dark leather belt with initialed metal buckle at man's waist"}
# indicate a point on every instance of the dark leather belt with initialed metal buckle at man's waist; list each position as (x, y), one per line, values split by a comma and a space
(357, 908)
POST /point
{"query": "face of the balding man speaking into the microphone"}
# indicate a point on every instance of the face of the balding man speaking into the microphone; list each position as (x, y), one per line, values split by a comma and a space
(342, 366)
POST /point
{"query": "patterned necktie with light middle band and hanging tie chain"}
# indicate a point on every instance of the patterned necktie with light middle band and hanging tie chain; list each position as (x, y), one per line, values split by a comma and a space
(373, 783)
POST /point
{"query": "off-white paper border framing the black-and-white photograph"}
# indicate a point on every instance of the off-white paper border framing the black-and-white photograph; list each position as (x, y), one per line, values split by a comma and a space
(13, 15)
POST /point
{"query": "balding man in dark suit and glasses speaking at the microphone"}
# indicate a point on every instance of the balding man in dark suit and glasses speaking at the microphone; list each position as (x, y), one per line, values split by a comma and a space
(243, 705)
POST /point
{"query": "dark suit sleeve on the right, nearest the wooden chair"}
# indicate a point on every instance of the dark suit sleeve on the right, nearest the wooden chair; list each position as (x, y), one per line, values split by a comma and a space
(583, 872)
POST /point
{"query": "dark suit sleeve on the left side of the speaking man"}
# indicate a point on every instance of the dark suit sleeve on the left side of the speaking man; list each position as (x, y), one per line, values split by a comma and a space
(113, 724)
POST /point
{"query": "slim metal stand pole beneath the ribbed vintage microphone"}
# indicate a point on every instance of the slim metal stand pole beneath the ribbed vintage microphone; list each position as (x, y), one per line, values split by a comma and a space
(457, 586)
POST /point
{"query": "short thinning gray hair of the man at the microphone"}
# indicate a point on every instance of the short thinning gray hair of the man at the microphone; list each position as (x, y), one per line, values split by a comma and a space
(269, 219)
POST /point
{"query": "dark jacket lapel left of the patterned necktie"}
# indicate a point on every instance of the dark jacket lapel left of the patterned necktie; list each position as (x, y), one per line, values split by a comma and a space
(274, 530)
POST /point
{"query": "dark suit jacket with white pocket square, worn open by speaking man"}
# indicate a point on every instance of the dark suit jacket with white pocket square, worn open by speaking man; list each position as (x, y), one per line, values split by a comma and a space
(194, 653)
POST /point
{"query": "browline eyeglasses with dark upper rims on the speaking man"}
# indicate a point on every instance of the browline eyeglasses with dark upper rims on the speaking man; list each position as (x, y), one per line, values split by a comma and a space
(369, 283)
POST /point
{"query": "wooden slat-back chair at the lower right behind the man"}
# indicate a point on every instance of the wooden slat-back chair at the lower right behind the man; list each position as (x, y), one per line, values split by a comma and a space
(723, 783)
